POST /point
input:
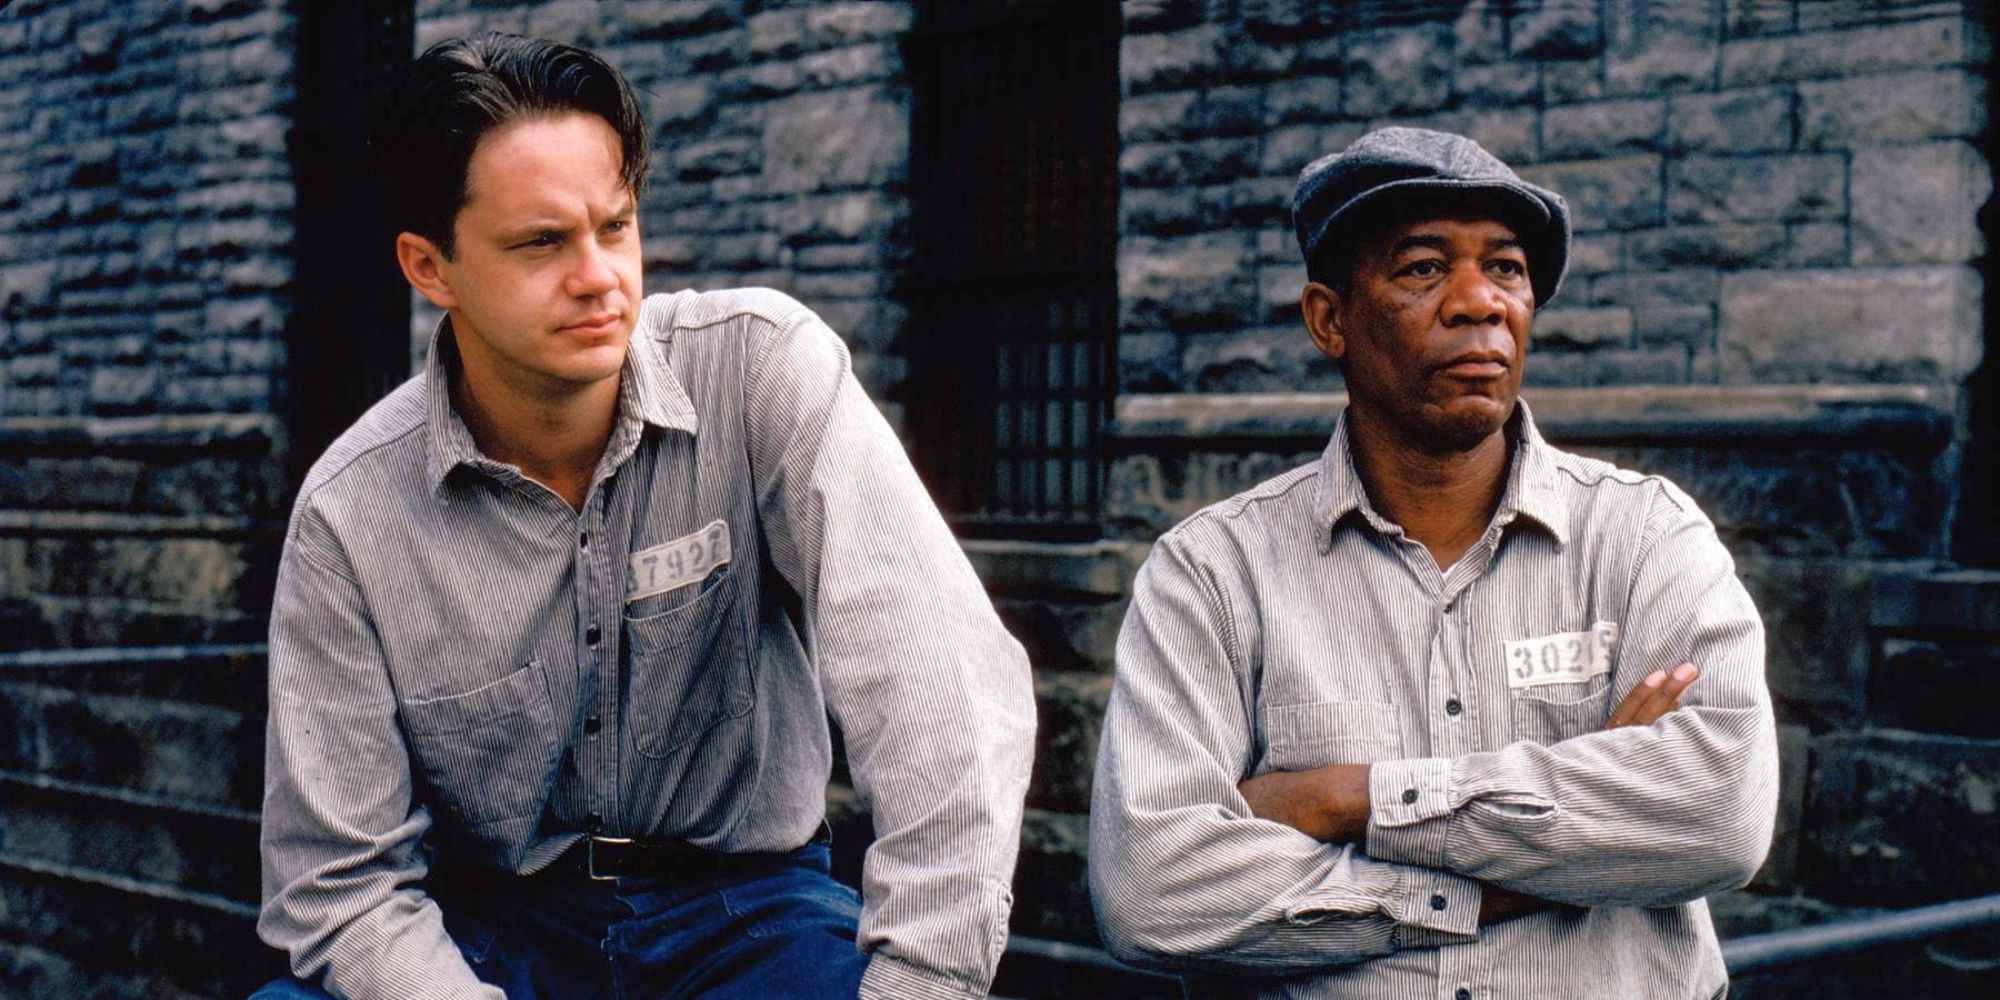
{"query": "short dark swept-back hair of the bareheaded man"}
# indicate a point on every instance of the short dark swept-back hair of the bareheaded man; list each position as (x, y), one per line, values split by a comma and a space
(463, 89)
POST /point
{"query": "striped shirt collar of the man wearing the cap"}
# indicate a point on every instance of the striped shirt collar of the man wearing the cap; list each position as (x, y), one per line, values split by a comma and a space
(1531, 489)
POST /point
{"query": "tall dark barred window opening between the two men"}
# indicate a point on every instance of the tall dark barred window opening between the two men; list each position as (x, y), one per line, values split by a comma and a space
(1013, 281)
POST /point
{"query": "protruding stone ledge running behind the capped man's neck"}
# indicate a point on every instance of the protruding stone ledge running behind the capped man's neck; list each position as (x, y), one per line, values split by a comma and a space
(1607, 415)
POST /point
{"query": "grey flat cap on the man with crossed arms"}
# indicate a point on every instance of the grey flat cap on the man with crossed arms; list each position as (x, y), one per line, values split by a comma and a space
(1395, 163)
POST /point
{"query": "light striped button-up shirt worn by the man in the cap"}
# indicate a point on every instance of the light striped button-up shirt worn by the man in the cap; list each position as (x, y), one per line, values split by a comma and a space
(1293, 627)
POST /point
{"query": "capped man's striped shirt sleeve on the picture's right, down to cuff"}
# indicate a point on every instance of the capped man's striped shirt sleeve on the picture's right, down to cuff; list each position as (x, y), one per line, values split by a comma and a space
(1633, 817)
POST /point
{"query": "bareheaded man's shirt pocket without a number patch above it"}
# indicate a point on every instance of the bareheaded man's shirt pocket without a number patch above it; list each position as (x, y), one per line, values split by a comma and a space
(485, 753)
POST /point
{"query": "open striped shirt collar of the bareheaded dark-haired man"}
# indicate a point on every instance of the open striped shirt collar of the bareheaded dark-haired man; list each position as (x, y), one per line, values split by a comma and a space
(649, 395)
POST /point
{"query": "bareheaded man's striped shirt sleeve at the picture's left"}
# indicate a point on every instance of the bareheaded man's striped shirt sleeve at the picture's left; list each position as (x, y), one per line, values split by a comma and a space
(341, 831)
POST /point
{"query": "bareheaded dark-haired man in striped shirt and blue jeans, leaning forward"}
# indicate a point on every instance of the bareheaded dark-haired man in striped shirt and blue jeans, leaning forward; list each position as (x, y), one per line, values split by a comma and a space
(561, 621)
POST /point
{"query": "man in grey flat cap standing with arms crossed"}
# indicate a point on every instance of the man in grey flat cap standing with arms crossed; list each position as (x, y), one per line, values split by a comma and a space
(1421, 719)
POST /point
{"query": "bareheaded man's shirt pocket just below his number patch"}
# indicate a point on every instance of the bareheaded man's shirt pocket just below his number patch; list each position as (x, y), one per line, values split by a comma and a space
(689, 669)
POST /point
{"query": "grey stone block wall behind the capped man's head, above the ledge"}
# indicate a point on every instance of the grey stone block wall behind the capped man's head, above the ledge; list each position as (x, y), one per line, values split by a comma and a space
(1763, 191)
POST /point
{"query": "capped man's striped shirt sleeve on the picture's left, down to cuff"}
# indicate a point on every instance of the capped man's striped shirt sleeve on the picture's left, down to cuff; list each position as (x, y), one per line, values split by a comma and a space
(1181, 873)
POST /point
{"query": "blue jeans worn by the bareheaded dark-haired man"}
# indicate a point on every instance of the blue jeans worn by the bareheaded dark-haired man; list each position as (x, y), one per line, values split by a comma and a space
(787, 933)
